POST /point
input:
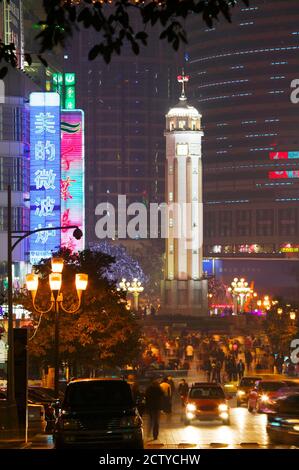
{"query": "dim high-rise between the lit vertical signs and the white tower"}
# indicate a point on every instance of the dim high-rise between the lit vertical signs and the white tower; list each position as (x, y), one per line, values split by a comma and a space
(124, 104)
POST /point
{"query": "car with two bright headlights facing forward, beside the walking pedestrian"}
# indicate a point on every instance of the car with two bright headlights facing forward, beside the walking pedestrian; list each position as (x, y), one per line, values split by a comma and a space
(206, 401)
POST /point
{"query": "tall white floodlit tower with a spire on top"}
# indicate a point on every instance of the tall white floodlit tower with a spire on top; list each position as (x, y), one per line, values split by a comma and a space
(184, 291)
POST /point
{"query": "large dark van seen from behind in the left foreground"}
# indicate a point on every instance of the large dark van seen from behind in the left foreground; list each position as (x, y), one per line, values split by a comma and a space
(98, 412)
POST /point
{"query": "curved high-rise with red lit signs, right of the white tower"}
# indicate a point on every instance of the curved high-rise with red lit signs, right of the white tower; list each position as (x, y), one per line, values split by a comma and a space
(241, 75)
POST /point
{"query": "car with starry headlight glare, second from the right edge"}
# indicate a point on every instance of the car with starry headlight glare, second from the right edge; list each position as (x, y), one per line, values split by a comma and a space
(263, 394)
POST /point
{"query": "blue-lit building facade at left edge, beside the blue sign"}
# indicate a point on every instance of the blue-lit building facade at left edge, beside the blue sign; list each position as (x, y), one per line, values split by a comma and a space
(14, 165)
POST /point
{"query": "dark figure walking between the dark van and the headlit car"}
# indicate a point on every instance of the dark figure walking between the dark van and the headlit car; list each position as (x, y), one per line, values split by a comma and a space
(154, 397)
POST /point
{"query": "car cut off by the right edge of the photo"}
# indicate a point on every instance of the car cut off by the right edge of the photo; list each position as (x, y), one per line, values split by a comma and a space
(283, 421)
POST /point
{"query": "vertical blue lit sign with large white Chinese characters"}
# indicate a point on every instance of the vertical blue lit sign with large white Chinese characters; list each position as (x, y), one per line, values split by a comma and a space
(44, 174)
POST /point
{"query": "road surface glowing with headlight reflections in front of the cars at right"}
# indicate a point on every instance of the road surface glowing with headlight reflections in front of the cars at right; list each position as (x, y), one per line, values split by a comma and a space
(246, 431)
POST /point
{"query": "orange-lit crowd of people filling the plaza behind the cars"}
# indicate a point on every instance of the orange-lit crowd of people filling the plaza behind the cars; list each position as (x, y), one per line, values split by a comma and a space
(221, 358)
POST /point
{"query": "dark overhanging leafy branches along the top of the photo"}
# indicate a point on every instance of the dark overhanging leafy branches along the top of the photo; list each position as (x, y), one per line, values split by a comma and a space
(113, 21)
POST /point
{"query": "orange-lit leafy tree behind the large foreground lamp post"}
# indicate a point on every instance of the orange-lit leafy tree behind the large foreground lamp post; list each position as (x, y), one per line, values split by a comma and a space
(102, 334)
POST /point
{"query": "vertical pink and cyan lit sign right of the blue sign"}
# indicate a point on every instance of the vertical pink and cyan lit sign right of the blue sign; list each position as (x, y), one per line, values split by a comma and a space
(72, 176)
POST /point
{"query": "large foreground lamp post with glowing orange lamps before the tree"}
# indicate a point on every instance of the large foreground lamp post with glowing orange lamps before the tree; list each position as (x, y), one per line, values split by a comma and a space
(56, 303)
